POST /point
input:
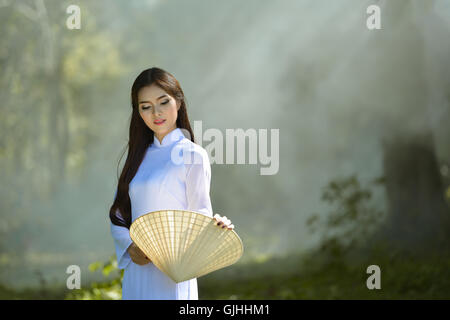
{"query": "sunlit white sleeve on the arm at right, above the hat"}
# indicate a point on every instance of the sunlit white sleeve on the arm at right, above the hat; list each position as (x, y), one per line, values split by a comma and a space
(198, 181)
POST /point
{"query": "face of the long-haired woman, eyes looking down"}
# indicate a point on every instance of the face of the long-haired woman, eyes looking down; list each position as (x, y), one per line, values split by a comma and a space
(155, 105)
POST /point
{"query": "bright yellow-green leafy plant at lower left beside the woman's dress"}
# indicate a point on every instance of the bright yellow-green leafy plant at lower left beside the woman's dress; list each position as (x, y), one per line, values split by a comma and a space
(109, 289)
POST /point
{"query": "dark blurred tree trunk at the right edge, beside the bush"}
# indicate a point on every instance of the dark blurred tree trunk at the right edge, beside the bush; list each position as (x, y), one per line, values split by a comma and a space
(418, 217)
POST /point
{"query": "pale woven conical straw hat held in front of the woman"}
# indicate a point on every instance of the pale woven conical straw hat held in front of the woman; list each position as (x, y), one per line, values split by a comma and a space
(185, 244)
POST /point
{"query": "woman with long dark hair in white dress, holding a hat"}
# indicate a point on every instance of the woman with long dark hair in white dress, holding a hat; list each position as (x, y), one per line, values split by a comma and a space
(151, 180)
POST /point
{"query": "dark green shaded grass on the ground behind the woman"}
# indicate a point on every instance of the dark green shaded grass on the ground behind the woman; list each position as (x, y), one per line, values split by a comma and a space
(312, 277)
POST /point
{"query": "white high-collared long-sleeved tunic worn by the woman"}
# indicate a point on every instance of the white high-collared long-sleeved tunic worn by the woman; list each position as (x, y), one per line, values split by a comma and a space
(163, 182)
